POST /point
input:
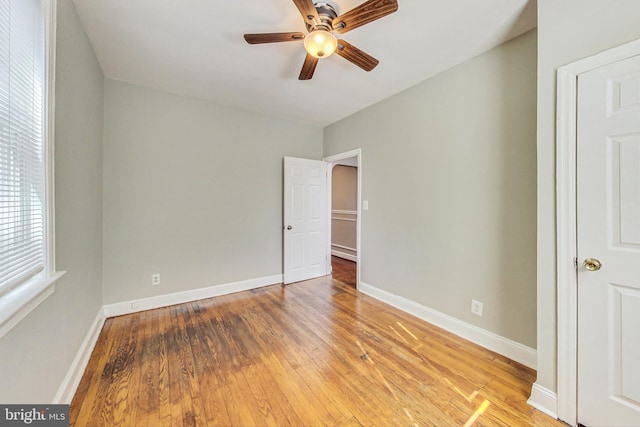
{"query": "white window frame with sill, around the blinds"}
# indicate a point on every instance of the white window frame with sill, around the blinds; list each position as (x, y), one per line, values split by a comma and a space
(19, 302)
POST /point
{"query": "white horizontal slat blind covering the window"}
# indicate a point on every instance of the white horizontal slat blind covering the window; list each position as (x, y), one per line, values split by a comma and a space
(22, 133)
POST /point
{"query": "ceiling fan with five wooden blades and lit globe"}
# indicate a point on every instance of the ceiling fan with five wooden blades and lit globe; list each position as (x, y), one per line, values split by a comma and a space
(322, 21)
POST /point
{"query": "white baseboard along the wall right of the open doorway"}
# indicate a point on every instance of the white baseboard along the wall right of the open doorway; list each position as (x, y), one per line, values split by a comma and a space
(494, 342)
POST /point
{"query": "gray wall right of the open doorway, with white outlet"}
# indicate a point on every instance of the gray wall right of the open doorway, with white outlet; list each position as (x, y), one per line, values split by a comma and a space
(450, 175)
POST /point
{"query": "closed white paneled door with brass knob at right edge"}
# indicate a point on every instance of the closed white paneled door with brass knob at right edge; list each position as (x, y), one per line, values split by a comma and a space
(608, 188)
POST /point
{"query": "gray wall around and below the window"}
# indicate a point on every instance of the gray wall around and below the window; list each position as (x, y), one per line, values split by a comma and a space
(36, 354)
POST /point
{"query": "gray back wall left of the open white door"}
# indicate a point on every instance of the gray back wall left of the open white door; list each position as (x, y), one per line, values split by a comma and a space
(192, 190)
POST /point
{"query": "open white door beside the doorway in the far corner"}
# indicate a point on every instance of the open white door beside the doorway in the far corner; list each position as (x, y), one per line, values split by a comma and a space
(305, 219)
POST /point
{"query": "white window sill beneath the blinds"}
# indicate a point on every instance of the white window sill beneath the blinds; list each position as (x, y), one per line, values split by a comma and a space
(17, 304)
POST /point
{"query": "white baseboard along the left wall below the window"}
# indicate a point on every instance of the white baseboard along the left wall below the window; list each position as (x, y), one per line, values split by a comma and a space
(71, 381)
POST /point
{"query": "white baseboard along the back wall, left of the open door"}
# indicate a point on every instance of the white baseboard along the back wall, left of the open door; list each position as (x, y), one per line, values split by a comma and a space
(134, 306)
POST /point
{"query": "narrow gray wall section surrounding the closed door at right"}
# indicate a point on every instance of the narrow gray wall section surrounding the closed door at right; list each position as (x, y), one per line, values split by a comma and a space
(568, 30)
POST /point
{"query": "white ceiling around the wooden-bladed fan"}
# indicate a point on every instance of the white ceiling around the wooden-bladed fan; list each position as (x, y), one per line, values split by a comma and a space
(195, 47)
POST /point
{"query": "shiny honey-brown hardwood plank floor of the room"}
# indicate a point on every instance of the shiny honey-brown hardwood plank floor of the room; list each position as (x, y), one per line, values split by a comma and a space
(311, 353)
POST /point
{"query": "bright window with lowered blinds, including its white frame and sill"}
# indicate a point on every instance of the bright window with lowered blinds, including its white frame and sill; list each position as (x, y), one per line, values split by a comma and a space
(26, 258)
